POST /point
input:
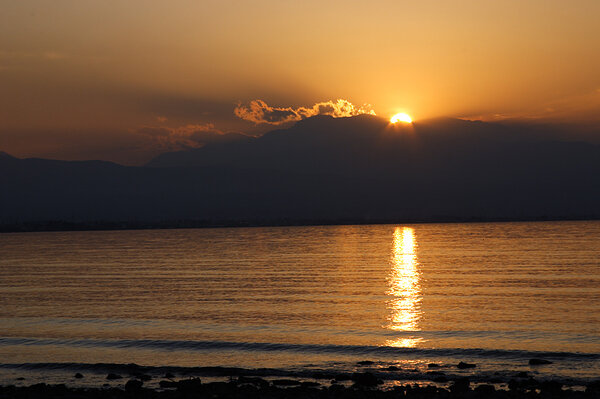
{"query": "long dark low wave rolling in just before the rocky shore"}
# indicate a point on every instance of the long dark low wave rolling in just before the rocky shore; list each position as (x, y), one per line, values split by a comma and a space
(358, 350)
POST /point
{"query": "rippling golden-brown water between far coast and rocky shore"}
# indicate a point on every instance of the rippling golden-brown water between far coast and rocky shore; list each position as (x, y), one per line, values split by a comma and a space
(306, 298)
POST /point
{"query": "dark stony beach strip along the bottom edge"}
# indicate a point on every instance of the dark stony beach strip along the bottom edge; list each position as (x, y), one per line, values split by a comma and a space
(135, 383)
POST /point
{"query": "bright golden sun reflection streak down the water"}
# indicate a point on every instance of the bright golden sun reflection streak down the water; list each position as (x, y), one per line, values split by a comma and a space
(404, 287)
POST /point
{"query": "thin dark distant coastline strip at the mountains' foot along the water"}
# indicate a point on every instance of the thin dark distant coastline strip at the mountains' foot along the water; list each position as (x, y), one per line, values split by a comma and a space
(58, 225)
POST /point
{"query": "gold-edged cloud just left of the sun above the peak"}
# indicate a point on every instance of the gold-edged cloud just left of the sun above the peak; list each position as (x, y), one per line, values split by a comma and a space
(258, 111)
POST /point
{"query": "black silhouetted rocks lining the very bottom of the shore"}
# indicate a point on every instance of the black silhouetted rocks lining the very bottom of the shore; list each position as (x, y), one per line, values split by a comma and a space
(360, 385)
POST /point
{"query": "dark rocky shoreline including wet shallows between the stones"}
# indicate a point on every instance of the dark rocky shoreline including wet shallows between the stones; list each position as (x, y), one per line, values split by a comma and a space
(368, 379)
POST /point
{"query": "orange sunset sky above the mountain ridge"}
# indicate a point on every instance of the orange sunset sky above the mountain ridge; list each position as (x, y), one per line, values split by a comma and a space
(127, 80)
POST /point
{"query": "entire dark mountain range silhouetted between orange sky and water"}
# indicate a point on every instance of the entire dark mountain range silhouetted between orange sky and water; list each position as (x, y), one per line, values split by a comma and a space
(322, 169)
